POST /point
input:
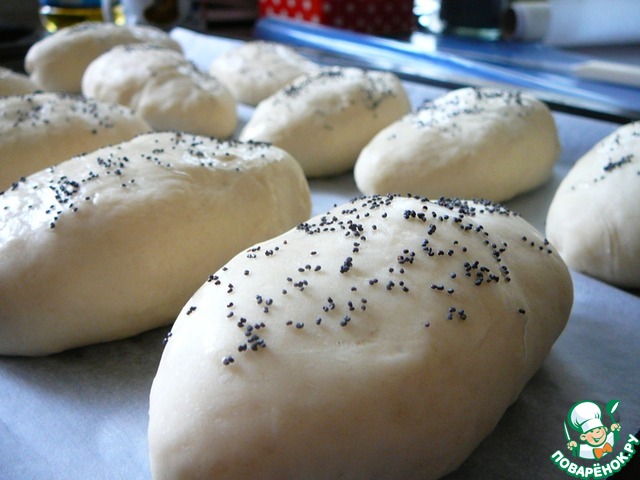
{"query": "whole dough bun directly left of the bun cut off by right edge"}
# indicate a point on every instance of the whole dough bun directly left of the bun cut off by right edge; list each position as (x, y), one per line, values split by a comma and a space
(470, 143)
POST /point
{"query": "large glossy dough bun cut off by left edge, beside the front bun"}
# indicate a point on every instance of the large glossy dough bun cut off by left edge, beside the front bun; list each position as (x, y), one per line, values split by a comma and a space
(112, 243)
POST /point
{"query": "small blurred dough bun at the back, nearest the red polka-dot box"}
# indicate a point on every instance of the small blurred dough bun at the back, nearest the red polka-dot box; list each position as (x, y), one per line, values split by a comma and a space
(256, 70)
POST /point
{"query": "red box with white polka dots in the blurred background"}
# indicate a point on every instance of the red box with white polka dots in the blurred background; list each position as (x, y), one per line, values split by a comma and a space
(382, 17)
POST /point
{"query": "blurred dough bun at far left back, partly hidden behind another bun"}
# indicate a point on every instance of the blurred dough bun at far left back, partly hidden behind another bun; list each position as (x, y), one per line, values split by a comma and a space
(57, 62)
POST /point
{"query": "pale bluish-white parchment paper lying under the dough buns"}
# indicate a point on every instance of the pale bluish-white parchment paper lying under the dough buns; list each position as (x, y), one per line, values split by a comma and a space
(82, 414)
